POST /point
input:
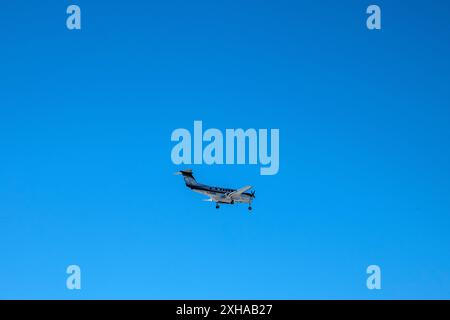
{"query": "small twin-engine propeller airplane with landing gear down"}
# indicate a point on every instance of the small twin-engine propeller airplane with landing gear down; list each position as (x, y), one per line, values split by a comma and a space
(217, 194)
